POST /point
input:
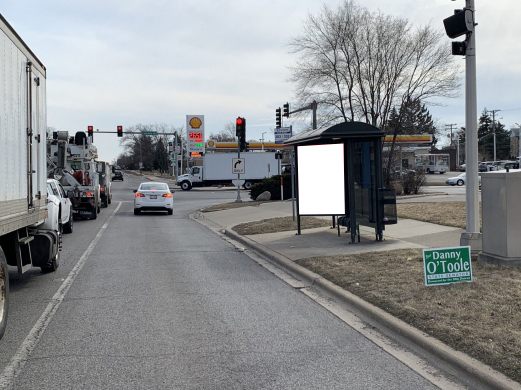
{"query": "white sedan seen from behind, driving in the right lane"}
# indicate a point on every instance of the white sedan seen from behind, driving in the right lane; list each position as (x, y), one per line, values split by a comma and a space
(151, 196)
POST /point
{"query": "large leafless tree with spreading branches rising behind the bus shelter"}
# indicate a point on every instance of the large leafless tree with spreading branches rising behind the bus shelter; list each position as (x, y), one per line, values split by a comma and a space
(359, 65)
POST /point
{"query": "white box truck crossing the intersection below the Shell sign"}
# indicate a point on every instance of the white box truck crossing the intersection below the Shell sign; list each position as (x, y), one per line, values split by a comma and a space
(217, 170)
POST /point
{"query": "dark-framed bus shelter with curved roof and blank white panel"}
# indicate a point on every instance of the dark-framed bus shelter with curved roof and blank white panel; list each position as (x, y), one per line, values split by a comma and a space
(338, 172)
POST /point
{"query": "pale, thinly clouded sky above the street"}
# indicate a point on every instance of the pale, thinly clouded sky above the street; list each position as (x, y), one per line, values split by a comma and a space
(124, 62)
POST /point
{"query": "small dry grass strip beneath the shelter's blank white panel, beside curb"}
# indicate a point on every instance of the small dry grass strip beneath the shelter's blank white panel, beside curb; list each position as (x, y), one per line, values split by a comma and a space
(281, 224)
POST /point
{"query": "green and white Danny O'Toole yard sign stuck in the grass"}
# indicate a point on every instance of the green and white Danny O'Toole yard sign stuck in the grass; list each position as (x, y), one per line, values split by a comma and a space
(447, 265)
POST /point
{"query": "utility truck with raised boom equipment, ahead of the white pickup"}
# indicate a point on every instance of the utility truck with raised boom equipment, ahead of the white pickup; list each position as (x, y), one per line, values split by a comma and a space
(75, 166)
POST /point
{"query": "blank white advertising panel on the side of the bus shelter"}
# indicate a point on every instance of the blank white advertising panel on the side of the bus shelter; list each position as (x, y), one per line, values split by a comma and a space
(321, 179)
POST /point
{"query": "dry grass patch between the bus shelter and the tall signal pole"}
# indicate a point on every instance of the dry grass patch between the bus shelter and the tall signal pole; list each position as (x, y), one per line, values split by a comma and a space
(442, 213)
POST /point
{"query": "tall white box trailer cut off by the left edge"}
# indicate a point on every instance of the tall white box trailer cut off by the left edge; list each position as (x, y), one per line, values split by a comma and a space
(26, 239)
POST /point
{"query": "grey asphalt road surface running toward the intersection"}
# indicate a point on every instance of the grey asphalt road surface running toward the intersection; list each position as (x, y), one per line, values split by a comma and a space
(160, 302)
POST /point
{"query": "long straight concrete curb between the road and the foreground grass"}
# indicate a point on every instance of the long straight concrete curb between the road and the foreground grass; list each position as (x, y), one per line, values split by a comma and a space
(477, 370)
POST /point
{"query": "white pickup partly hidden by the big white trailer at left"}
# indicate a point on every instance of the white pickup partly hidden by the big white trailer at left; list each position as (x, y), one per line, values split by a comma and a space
(59, 206)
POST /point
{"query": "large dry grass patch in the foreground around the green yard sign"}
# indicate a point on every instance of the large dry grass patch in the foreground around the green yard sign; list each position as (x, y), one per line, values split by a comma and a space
(482, 318)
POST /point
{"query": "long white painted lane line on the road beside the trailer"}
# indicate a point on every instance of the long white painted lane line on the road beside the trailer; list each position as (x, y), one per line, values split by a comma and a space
(17, 363)
